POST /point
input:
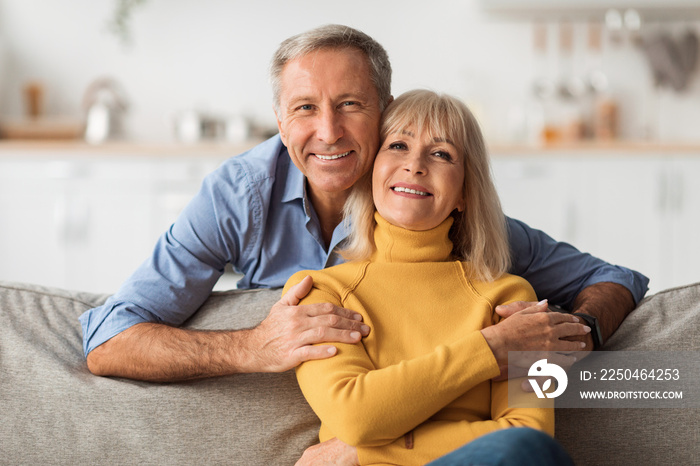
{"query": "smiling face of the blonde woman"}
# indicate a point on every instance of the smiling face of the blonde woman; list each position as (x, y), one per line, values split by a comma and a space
(417, 181)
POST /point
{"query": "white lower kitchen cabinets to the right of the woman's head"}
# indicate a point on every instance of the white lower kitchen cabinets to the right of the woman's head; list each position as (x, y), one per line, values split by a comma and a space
(641, 211)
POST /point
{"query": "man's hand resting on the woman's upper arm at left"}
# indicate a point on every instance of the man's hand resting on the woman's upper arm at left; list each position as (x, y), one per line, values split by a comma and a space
(287, 336)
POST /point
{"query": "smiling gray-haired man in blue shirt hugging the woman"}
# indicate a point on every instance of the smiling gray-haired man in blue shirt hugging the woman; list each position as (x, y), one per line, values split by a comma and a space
(278, 209)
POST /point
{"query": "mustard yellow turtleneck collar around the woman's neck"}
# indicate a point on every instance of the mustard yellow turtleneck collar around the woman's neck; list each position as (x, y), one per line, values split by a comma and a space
(396, 244)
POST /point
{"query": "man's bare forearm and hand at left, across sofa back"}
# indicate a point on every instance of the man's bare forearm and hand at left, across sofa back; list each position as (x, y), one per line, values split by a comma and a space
(160, 353)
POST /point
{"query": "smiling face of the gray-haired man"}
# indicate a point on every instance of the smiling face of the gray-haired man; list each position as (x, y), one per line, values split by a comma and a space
(329, 118)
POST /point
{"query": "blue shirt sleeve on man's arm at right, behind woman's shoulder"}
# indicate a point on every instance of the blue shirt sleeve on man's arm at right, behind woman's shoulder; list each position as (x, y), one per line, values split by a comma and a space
(558, 271)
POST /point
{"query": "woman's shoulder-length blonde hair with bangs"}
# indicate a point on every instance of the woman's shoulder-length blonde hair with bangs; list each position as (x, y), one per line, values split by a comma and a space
(479, 234)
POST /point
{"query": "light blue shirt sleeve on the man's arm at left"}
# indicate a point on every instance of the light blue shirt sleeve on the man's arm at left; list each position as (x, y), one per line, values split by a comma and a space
(186, 262)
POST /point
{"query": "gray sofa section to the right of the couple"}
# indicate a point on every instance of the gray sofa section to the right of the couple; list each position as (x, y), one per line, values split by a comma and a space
(669, 320)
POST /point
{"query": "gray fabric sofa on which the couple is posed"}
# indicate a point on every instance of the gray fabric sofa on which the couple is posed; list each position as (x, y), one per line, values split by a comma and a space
(55, 412)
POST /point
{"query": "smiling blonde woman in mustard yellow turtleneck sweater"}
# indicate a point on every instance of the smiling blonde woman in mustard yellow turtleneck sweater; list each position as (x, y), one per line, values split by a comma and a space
(428, 254)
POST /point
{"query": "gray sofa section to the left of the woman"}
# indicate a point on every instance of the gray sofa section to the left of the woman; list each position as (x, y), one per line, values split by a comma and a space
(55, 412)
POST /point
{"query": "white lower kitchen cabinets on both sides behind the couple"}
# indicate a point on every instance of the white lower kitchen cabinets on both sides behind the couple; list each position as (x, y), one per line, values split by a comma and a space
(86, 219)
